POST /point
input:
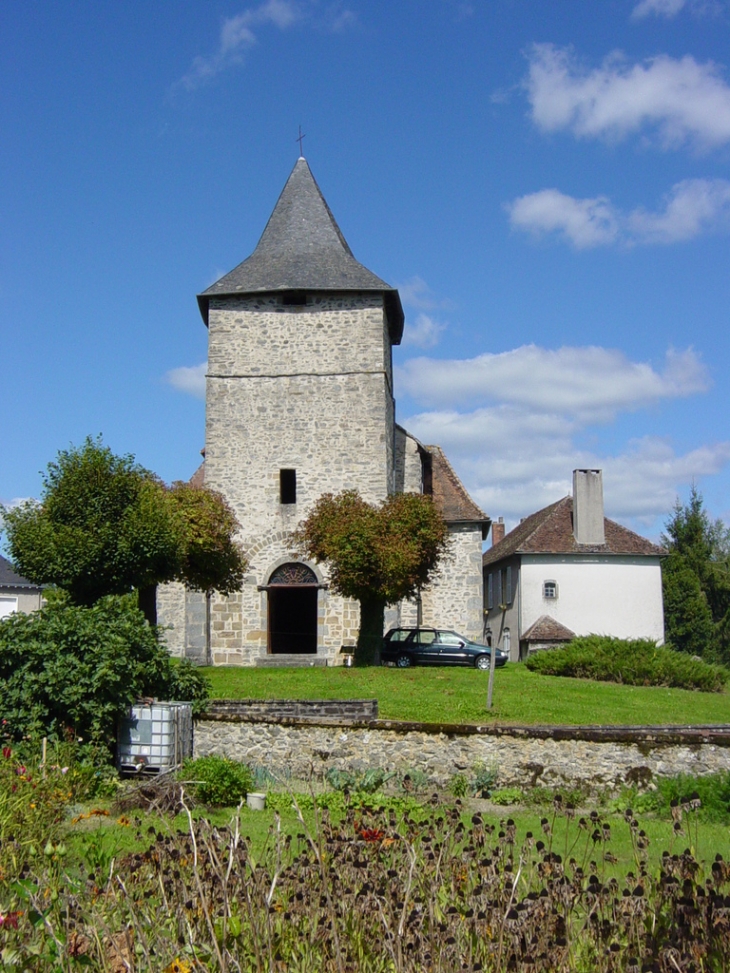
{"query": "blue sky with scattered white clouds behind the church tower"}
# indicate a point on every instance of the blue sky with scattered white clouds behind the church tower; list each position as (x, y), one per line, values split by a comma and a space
(546, 181)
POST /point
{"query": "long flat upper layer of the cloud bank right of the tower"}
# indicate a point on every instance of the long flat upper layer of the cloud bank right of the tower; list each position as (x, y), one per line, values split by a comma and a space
(591, 384)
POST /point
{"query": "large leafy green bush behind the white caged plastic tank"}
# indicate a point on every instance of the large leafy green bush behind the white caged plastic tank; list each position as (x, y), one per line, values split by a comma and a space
(71, 672)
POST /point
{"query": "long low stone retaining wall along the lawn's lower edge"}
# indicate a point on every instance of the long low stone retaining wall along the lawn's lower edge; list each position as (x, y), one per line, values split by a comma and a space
(599, 757)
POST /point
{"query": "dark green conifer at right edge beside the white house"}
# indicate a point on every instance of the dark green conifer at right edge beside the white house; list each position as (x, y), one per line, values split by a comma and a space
(696, 581)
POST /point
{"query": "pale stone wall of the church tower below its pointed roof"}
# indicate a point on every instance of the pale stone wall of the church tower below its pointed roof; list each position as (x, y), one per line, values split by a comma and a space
(307, 388)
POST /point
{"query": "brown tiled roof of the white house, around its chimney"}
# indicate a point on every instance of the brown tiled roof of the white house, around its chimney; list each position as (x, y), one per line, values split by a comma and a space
(550, 531)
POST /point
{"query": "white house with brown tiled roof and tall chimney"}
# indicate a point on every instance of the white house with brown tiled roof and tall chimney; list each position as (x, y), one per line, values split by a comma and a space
(567, 570)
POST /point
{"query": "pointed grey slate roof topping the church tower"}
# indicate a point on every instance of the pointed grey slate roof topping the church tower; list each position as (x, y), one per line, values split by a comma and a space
(302, 248)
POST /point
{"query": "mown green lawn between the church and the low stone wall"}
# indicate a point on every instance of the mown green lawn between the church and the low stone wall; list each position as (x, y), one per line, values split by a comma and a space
(459, 695)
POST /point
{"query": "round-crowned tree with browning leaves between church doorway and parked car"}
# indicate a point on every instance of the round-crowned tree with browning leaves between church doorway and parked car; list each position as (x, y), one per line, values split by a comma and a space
(377, 555)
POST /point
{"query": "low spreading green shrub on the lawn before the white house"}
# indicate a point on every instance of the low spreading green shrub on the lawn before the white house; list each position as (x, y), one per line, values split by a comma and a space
(637, 662)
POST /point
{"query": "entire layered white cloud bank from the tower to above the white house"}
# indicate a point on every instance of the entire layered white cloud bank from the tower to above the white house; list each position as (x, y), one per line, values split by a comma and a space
(513, 425)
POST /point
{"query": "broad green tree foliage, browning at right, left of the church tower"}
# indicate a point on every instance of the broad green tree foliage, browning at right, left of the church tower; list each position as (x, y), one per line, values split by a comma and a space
(105, 526)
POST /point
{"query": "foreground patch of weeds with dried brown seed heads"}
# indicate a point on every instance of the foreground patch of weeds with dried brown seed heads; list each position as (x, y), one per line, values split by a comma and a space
(373, 892)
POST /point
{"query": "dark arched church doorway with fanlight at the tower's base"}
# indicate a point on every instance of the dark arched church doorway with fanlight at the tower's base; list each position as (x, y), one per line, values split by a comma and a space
(292, 591)
